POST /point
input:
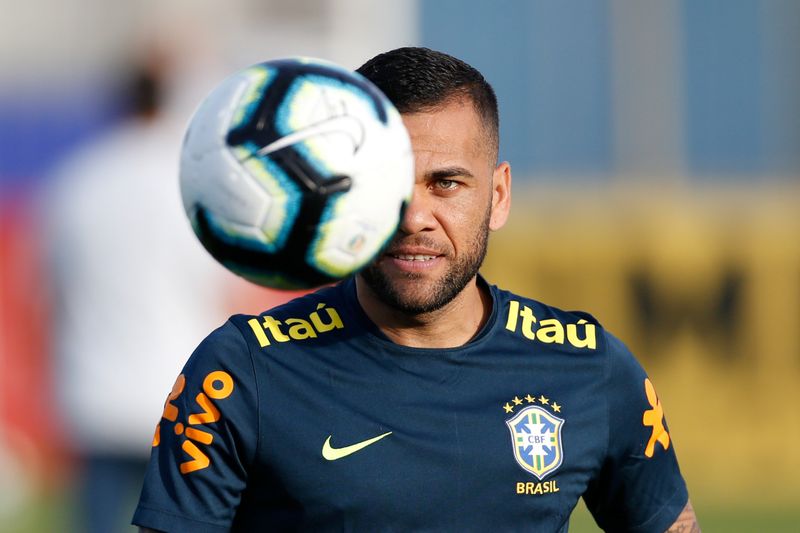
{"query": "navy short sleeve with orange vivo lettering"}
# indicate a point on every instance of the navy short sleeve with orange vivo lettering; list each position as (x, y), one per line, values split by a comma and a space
(205, 440)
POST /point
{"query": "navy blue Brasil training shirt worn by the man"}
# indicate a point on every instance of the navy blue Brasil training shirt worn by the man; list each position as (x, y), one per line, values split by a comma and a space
(308, 418)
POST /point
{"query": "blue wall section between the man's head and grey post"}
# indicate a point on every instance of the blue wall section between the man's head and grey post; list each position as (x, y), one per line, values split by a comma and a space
(549, 63)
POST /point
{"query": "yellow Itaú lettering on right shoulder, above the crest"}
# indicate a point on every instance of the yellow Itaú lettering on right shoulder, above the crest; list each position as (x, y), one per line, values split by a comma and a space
(581, 334)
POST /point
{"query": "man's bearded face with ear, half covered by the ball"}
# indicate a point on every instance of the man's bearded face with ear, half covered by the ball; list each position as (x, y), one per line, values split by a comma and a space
(442, 238)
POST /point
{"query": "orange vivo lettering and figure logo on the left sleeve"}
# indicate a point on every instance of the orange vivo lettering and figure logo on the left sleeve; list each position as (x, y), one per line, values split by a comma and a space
(217, 385)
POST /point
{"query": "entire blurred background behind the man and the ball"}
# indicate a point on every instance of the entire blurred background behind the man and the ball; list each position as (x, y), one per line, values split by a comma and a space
(655, 148)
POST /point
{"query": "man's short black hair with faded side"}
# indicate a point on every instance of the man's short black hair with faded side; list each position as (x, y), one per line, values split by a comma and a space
(418, 79)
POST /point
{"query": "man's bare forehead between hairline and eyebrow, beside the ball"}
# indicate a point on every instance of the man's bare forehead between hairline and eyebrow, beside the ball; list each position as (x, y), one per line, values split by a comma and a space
(451, 131)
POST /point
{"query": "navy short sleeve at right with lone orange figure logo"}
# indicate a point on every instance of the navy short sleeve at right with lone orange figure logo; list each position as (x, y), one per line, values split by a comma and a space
(640, 487)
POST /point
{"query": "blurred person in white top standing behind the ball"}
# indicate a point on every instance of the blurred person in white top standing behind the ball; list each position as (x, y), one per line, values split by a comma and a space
(133, 293)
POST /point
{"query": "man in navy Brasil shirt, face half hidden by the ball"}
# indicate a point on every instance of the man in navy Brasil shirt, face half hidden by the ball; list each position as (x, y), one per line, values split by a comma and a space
(416, 396)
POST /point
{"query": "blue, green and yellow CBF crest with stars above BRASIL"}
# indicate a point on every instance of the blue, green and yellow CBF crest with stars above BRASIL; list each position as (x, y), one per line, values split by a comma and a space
(536, 436)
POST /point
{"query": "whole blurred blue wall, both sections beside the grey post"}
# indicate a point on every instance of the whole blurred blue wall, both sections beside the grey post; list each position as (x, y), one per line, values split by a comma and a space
(551, 64)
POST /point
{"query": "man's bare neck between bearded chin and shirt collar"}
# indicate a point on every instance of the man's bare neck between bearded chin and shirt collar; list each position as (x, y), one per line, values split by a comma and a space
(448, 327)
